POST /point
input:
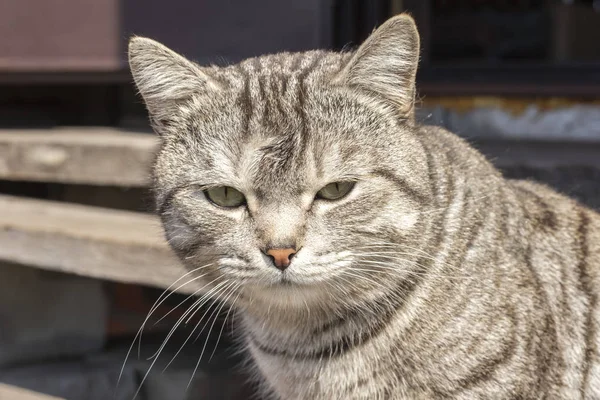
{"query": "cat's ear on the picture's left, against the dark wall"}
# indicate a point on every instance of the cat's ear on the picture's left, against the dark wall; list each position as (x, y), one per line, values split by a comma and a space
(164, 79)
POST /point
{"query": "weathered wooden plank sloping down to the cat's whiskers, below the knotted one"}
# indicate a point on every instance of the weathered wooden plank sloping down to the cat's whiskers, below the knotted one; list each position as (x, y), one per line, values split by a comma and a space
(89, 241)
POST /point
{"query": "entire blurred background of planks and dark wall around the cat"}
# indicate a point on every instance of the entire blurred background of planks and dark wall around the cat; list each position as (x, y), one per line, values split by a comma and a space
(82, 258)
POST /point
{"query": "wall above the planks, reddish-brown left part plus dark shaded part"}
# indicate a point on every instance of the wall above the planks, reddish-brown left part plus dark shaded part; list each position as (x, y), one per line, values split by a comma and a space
(91, 35)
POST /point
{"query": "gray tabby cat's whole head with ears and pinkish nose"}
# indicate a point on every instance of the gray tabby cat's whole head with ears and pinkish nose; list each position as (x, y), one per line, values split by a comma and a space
(293, 177)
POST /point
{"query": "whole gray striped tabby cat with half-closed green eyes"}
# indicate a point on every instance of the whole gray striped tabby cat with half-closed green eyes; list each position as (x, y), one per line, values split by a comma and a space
(368, 257)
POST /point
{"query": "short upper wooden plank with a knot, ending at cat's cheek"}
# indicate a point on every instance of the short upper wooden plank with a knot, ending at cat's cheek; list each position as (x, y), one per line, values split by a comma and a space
(97, 156)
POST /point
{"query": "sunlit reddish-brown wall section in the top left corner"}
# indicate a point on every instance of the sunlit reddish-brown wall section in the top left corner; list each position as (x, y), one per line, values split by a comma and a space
(65, 35)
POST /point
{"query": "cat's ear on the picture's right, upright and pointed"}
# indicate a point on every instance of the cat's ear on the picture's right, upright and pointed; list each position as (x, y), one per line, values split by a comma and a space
(386, 64)
